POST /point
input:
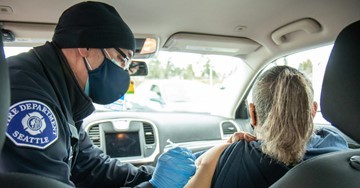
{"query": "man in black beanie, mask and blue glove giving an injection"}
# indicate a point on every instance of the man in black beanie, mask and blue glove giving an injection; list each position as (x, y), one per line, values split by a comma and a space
(52, 90)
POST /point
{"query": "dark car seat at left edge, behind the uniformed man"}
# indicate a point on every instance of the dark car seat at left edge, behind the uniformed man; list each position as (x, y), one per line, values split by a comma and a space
(16, 179)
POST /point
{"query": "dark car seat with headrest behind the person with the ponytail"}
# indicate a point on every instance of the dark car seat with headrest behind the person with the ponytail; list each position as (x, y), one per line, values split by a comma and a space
(340, 105)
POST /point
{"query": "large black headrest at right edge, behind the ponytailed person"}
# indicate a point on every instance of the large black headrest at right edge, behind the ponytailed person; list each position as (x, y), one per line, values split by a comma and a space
(340, 95)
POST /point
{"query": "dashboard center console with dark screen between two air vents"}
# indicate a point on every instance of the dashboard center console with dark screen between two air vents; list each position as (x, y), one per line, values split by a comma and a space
(129, 140)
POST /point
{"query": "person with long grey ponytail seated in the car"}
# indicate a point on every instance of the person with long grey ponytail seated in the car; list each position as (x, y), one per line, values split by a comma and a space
(282, 117)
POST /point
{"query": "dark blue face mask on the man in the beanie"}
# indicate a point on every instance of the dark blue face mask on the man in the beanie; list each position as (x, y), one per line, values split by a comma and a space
(107, 83)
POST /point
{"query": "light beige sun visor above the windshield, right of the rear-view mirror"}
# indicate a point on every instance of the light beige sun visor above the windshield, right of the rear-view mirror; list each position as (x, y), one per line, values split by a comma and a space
(210, 44)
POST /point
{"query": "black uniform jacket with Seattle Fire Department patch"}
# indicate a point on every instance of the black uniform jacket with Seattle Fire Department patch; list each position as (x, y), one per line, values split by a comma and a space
(44, 133)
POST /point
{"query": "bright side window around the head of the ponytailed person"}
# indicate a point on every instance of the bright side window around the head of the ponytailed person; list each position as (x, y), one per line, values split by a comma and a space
(310, 62)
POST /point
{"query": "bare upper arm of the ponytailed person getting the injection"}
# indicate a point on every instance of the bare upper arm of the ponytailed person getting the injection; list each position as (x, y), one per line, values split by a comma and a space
(206, 165)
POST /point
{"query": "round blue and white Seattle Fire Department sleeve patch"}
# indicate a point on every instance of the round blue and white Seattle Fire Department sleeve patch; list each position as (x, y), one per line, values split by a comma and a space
(32, 124)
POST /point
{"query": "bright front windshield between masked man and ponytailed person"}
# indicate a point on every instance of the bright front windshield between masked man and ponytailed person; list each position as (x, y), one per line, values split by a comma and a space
(176, 82)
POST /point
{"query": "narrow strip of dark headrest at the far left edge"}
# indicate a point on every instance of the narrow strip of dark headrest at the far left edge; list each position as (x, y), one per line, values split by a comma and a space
(5, 93)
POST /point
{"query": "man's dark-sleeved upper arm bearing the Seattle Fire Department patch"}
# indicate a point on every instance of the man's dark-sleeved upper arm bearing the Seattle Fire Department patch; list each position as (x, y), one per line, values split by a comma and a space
(36, 141)
